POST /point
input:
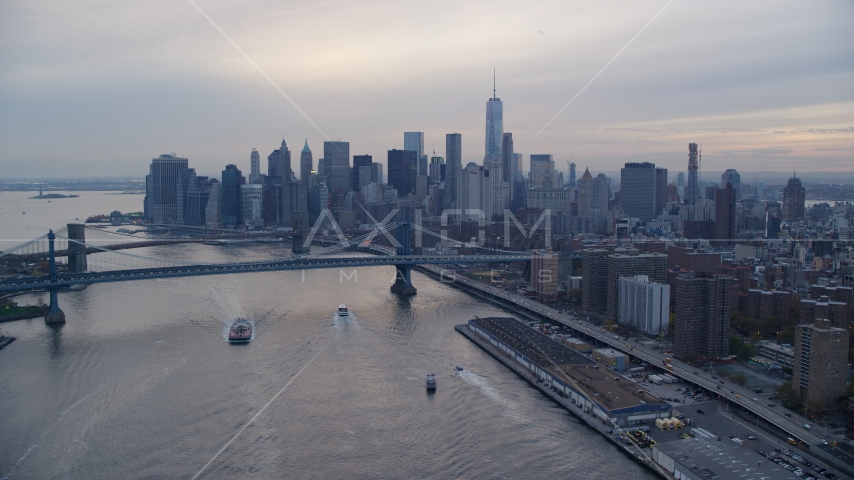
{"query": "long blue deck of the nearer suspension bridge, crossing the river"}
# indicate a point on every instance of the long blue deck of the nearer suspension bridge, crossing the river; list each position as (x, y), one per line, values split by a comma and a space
(65, 280)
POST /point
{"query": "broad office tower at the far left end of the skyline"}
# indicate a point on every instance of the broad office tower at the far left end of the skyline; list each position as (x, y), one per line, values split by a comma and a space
(162, 188)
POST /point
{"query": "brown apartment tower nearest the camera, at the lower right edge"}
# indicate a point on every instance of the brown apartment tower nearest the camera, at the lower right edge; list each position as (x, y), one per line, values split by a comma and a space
(821, 364)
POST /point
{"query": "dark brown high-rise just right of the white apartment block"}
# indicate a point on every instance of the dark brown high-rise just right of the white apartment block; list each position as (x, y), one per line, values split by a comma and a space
(702, 325)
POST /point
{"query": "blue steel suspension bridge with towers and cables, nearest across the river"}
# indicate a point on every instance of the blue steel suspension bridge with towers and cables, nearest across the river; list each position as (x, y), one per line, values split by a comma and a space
(86, 263)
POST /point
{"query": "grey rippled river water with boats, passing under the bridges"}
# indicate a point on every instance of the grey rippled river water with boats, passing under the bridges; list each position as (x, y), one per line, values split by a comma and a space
(140, 382)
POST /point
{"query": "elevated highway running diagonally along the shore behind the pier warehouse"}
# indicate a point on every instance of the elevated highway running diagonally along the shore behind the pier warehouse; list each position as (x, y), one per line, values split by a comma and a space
(687, 372)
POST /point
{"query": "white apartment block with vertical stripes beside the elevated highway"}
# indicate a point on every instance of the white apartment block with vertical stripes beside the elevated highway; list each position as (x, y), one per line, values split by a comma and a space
(644, 305)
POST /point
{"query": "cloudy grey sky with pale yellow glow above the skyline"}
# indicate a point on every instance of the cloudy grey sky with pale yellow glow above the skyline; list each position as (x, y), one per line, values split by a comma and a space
(98, 88)
